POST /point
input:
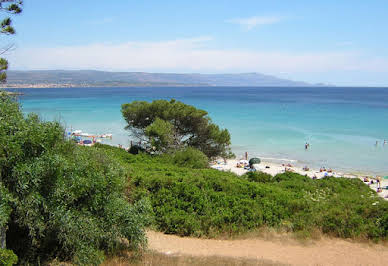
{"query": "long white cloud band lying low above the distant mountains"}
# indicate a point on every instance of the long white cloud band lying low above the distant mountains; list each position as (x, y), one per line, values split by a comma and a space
(189, 55)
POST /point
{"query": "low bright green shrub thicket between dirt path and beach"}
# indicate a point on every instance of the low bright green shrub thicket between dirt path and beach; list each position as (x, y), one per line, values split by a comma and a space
(206, 202)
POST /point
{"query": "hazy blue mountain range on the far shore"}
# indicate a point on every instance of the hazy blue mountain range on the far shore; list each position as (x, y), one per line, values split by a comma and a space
(90, 78)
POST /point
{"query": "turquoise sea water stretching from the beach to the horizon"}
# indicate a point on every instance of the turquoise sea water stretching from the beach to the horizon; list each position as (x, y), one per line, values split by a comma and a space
(342, 125)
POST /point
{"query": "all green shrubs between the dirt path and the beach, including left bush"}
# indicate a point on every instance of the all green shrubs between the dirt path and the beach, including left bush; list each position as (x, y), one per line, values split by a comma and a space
(60, 200)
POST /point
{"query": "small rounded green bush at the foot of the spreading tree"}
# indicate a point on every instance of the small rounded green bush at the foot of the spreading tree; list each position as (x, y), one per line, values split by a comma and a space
(191, 158)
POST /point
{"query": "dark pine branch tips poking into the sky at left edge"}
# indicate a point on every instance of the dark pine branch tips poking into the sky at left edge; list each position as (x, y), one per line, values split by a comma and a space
(10, 7)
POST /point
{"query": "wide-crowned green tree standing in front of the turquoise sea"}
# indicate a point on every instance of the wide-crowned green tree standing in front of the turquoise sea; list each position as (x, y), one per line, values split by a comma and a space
(172, 125)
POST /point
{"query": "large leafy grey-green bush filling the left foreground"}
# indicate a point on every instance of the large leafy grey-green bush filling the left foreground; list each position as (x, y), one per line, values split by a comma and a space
(62, 200)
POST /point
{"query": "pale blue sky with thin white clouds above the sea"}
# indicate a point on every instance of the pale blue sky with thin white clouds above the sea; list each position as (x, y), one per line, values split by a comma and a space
(338, 42)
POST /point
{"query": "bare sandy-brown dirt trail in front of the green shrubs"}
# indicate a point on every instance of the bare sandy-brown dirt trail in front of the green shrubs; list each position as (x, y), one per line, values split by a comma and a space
(321, 252)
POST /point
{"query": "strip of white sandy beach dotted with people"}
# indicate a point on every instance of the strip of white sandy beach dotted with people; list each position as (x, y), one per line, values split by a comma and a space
(273, 169)
